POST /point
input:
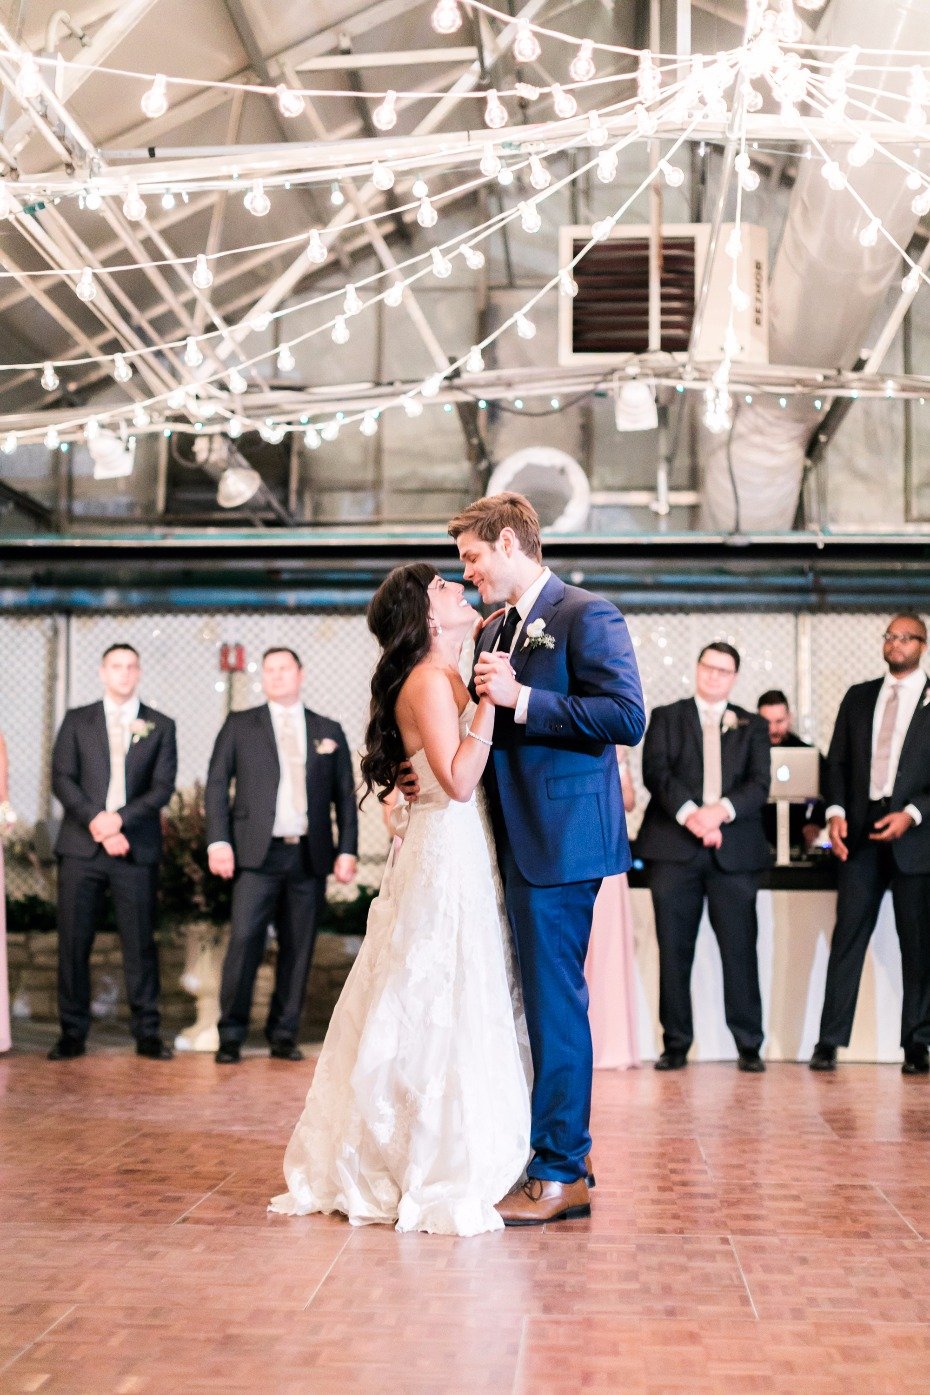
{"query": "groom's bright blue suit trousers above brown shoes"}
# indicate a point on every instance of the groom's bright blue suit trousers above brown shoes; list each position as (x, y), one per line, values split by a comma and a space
(551, 930)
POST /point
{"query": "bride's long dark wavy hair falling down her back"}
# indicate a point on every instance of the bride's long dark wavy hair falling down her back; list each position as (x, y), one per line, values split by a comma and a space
(399, 620)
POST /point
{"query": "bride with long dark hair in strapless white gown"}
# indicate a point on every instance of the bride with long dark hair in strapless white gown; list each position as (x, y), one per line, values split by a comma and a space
(419, 1113)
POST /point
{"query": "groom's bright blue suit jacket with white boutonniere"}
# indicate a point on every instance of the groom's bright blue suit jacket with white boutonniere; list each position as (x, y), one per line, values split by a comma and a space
(553, 785)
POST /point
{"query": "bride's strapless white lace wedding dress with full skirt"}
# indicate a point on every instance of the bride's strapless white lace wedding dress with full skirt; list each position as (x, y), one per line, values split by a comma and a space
(419, 1113)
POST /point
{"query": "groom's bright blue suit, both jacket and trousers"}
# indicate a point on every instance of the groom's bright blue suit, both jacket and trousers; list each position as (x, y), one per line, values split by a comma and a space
(558, 821)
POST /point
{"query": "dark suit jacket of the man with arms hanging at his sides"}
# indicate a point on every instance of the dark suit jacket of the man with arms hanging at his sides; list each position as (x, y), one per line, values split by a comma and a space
(246, 753)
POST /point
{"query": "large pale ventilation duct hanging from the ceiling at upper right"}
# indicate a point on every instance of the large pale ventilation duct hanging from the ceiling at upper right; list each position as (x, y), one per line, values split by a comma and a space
(825, 291)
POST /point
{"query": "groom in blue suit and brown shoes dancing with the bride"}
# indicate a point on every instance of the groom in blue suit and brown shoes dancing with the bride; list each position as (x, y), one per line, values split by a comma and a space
(561, 670)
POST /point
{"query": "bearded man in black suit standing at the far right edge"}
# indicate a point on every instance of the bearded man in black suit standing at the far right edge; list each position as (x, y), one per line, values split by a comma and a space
(879, 822)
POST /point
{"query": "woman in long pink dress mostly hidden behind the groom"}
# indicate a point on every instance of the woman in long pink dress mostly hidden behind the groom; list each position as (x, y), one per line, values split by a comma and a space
(611, 965)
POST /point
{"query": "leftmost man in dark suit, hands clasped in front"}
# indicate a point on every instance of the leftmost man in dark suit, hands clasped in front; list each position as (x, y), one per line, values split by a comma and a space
(114, 771)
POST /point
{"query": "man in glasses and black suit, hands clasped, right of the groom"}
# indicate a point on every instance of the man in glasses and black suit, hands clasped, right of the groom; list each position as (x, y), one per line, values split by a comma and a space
(708, 769)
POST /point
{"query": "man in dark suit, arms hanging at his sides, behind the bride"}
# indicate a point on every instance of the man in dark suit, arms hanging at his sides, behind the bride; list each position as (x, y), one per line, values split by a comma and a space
(292, 771)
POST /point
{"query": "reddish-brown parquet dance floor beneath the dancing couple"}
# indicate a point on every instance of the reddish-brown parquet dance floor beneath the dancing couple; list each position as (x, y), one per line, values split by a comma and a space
(751, 1235)
